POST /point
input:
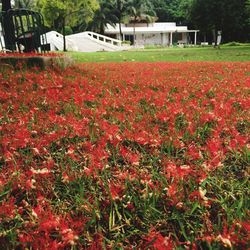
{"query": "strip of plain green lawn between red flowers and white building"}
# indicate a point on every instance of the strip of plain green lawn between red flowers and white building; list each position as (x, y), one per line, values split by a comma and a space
(224, 53)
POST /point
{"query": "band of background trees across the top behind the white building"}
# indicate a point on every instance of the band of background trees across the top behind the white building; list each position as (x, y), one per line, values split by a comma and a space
(232, 17)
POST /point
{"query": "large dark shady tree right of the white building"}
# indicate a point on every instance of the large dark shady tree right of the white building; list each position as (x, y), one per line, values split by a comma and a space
(229, 16)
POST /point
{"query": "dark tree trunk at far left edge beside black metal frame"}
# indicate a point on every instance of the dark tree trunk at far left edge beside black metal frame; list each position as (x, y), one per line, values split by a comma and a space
(8, 27)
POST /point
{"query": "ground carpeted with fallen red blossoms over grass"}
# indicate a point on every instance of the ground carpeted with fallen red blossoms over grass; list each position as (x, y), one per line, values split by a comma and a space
(125, 156)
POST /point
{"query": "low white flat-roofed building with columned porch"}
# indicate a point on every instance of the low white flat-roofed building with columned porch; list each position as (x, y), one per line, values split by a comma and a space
(164, 34)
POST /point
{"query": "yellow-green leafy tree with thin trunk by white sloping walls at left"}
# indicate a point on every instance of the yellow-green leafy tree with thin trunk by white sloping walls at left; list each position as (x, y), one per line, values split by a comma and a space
(58, 13)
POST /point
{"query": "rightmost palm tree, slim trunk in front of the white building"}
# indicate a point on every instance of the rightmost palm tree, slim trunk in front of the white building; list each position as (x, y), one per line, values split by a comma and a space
(140, 10)
